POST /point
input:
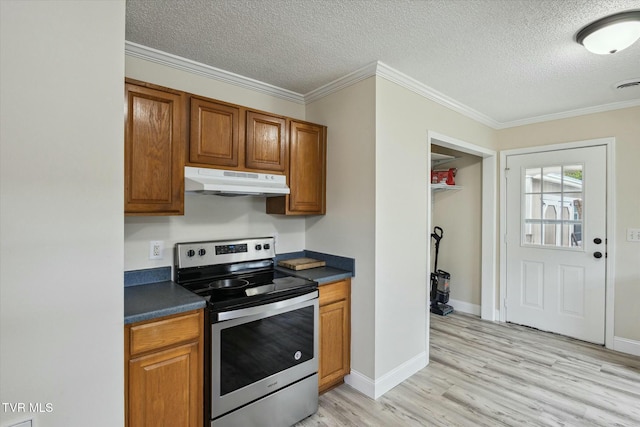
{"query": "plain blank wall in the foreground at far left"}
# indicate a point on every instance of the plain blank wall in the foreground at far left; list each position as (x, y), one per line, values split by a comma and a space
(61, 187)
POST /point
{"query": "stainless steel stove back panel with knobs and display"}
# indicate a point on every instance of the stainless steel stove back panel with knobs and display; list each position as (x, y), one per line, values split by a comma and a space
(200, 254)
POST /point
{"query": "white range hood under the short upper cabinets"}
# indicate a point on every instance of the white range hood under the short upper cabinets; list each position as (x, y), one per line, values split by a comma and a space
(231, 183)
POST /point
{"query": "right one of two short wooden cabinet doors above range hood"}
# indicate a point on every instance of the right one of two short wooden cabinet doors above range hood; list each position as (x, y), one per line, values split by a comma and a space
(265, 142)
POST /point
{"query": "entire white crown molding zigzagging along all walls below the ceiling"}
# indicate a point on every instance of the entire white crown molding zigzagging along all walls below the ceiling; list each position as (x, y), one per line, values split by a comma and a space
(376, 68)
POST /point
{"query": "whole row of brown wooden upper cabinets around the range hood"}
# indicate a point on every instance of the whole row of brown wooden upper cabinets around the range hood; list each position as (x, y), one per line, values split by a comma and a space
(159, 121)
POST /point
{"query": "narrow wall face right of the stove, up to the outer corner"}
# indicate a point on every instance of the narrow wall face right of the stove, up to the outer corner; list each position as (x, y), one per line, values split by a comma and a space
(348, 227)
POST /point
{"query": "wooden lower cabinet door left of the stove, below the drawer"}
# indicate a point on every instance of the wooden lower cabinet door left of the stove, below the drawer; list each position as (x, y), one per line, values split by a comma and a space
(164, 388)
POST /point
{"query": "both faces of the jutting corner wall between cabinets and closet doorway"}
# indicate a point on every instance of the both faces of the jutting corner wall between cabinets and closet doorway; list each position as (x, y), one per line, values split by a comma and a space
(377, 210)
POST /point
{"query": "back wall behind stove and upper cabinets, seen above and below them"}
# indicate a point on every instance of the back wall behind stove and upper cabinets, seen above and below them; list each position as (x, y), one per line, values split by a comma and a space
(209, 217)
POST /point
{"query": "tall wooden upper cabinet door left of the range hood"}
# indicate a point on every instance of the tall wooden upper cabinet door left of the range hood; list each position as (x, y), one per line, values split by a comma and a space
(154, 152)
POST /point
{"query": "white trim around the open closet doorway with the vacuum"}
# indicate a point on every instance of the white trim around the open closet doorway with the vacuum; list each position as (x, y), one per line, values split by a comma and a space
(489, 216)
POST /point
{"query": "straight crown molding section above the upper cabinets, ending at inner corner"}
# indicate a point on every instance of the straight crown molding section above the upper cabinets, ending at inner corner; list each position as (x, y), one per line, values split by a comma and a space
(183, 64)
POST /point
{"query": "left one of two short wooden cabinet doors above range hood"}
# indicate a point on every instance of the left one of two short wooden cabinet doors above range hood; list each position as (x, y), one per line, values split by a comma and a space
(214, 133)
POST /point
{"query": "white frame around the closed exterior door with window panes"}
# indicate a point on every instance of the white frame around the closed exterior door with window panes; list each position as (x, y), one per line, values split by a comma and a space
(609, 285)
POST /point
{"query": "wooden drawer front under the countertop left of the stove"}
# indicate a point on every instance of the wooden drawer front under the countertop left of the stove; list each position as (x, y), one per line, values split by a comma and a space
(163, 333)
